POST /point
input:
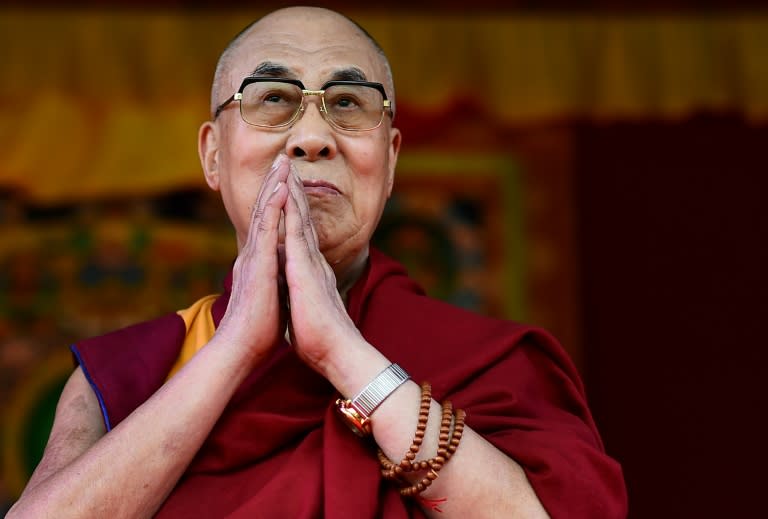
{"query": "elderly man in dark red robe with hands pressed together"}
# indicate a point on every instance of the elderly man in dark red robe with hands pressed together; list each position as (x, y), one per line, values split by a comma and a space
(242, 405)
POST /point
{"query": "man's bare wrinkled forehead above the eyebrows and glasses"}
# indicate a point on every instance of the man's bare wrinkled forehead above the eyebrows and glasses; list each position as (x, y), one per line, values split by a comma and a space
(312, 49)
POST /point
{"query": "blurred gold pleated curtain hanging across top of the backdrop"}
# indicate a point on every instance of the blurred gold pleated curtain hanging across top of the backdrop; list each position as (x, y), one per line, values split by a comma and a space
(97, 103)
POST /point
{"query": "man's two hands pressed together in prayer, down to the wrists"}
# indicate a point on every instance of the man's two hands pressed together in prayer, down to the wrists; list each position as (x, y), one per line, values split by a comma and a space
(290, 284)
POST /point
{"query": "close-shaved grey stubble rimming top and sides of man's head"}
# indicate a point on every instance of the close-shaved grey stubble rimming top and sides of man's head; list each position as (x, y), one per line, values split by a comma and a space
(295, 20)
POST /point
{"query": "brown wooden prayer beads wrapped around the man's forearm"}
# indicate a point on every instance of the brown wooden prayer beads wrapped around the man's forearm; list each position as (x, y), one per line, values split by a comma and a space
(447, 444)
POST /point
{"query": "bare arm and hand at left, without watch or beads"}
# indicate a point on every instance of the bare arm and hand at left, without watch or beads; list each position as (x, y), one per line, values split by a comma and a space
(131, 470)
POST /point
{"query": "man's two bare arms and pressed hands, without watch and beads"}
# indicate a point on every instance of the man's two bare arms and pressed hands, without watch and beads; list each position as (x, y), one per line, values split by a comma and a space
(278, 284)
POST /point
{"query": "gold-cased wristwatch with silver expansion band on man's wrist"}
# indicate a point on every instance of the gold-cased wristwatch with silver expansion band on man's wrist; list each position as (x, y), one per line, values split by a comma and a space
(357, 411)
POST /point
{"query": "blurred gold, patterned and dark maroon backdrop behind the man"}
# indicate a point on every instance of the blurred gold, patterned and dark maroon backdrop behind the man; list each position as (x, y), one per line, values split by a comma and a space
(599, 171)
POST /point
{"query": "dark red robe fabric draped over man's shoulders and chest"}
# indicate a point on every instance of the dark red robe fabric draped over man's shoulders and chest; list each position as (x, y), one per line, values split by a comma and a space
(279, 450)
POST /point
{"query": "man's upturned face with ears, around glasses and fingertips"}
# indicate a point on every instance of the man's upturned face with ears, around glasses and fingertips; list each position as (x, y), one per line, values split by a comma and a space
(347, 175)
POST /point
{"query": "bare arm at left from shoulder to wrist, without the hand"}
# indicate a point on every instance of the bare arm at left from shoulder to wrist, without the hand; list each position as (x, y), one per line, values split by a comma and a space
(130, 471)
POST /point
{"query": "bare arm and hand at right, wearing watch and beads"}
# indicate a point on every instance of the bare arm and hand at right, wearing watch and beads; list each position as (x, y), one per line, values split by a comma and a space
(479, 481)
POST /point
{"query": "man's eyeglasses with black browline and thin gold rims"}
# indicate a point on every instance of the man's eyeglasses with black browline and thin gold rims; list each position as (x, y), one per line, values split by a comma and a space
(275, 102)
